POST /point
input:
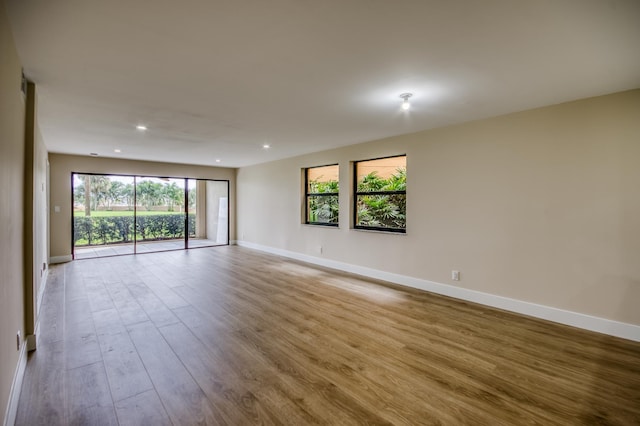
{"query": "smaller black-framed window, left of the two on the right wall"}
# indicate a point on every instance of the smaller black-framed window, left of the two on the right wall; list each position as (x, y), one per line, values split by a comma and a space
(321, 192)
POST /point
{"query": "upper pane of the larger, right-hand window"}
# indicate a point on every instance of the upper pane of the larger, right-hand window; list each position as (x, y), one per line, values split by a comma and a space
(385, 174)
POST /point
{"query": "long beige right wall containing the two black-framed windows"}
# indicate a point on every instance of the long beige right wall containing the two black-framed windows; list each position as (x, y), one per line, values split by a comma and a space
(541, 206)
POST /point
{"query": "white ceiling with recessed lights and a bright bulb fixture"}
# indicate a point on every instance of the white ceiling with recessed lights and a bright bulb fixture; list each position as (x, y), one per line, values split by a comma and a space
(218, 79)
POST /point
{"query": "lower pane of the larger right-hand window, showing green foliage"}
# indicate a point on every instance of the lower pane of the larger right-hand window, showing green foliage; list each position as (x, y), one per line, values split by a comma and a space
(381, 211)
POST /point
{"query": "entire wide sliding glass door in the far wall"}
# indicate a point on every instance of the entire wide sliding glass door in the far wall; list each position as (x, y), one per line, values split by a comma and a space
(141, 214)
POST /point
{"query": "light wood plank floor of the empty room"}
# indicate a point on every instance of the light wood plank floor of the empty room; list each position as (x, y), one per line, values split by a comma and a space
(227, 335)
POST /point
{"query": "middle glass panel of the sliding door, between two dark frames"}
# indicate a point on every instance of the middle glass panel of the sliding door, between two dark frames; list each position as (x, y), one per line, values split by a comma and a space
(160, 214)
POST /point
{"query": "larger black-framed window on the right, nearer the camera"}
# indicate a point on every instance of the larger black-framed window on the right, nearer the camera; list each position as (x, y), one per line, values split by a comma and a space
(381, 194)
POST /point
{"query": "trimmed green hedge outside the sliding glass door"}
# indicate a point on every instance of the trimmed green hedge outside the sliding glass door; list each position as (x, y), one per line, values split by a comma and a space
(120, 229)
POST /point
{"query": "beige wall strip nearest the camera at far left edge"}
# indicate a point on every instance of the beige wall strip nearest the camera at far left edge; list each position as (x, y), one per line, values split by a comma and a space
(12, 150)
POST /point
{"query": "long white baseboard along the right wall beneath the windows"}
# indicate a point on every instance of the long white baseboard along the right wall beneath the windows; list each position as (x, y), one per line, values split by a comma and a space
(575, 319)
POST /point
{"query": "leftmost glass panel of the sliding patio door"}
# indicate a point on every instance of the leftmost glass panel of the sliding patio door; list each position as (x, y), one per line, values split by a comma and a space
(103, 215)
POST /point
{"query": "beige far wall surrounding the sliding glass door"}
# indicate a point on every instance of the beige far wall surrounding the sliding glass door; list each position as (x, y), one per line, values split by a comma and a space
(61, 167)
